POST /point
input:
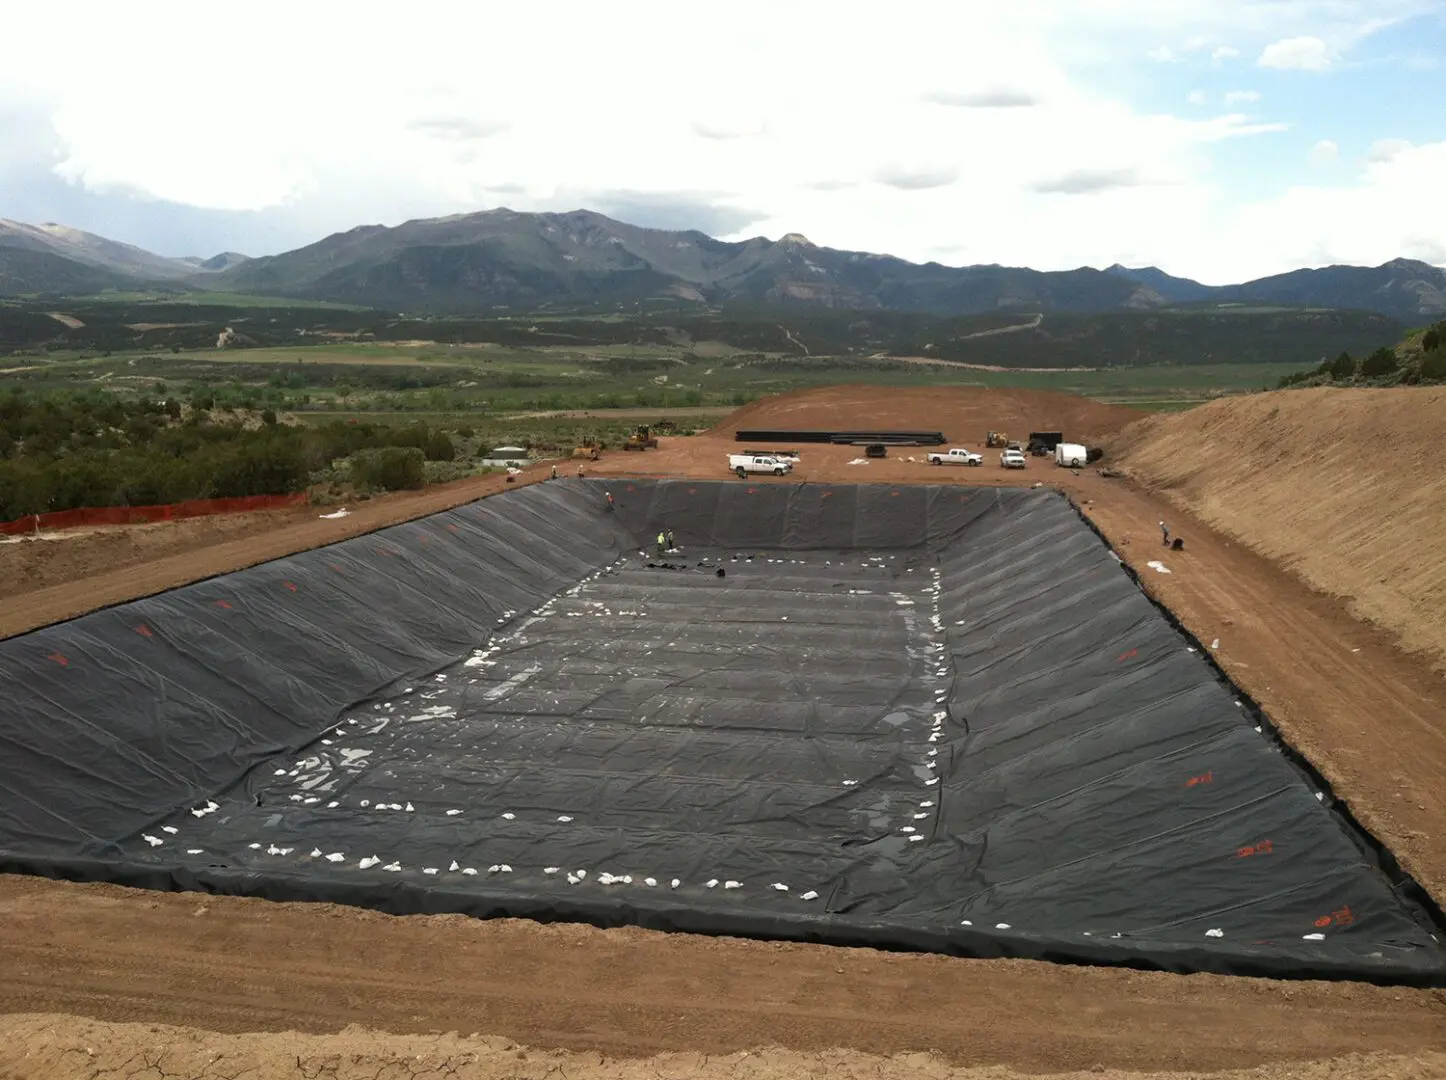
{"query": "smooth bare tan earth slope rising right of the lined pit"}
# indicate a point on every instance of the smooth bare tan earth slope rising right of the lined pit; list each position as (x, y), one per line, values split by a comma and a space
(1344, 487)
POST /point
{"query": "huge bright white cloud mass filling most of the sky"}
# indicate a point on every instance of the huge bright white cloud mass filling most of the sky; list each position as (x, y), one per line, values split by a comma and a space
(981, 132)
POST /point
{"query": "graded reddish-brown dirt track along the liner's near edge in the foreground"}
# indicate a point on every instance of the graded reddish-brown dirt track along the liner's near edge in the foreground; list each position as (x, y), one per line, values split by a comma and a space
(245, 965)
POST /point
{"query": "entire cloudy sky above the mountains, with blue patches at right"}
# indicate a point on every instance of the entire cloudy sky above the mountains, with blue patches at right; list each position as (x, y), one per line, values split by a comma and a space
(1218, 140)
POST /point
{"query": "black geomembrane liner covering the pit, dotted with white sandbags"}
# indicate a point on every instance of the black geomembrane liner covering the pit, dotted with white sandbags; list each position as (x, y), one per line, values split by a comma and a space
(923, 718)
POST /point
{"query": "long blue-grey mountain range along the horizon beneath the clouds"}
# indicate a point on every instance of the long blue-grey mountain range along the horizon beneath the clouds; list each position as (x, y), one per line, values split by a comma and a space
(504, 261)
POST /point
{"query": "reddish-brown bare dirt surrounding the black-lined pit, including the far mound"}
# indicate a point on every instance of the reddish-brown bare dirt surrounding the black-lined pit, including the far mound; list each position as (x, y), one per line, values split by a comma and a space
(1340, 690)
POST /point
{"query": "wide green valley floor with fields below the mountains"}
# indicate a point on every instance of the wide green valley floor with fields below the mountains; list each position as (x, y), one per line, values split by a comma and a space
(313, 361)
